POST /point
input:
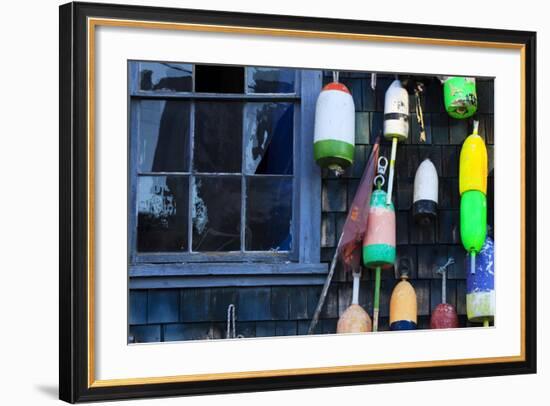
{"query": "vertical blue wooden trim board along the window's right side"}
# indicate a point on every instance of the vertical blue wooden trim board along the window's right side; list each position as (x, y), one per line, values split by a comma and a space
(309, 174)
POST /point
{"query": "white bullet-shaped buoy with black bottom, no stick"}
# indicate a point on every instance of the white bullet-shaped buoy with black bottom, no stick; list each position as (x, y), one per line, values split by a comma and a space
(426, 191)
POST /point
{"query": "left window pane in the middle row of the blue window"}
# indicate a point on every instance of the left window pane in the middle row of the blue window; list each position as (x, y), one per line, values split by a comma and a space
(163, 136)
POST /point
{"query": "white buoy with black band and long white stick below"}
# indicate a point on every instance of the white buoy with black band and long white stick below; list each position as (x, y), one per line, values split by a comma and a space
(396, 124)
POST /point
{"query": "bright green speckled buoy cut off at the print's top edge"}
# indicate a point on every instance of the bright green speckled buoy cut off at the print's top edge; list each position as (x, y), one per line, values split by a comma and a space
(460, 96)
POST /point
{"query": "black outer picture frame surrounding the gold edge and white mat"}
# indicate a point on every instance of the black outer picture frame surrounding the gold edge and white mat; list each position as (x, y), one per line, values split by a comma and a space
(74, 385)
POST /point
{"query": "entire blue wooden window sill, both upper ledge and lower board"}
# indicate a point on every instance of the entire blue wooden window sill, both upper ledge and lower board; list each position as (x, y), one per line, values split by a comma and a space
(225, 274)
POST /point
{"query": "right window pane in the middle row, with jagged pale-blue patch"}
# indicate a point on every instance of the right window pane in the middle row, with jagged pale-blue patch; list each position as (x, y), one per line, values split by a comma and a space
(269, 140)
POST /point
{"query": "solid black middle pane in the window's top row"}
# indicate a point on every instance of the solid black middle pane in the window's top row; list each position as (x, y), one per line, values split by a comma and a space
(219, 79)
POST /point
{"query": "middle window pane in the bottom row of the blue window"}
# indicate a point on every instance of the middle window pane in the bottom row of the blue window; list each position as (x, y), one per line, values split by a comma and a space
(216, 213)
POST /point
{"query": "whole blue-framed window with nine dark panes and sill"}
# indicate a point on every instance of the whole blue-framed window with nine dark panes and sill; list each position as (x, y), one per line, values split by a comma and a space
(221, 174)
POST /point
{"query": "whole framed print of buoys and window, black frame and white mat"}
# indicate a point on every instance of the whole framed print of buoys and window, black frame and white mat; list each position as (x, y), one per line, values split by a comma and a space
(254, 202)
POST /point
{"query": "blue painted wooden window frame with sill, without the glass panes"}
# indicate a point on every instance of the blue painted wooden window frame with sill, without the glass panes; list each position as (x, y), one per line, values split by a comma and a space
(300, 265)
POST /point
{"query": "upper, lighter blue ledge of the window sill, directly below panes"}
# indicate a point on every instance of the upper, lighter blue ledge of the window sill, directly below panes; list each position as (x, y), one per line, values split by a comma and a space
(206, 269)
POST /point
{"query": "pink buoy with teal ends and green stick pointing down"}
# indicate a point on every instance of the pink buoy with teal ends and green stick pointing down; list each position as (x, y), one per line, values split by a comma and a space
(379, 243)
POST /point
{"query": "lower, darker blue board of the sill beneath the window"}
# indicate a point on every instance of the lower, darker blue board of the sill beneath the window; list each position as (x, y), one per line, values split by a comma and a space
(179, 282)
